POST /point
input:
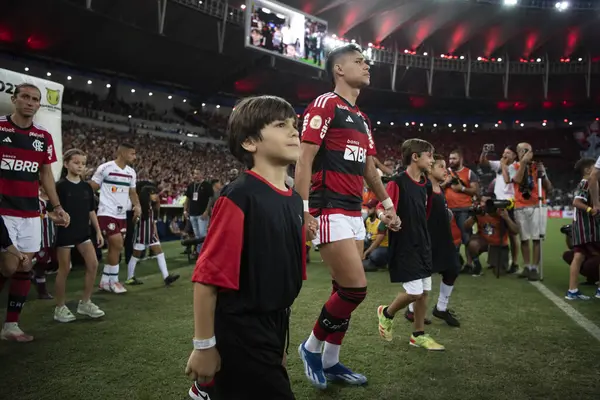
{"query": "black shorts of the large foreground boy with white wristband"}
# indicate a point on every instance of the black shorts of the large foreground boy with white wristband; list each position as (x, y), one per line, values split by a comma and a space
(251, 348)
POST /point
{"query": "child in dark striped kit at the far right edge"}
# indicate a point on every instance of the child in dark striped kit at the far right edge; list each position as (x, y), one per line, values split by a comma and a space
(585, 229)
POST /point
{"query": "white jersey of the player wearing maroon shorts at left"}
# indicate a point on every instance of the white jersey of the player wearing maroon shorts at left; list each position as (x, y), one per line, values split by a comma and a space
(114, 189)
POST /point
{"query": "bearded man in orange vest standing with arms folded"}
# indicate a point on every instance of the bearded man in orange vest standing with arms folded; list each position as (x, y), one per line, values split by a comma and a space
(460, 187)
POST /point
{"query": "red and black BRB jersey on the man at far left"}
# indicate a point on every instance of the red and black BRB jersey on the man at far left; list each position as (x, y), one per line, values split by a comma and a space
(22, 154)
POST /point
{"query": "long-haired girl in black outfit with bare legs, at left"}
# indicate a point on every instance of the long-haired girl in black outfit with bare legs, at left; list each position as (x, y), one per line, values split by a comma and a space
(78, 199)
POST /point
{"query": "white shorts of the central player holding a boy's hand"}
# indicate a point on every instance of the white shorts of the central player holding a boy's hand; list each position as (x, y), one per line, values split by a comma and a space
(336, 227)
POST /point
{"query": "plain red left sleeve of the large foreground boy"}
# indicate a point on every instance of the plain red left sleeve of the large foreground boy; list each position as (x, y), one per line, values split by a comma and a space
(219, 261)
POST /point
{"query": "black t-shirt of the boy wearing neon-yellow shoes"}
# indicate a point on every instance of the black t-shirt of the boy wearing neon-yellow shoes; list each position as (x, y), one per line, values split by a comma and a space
(410, 247)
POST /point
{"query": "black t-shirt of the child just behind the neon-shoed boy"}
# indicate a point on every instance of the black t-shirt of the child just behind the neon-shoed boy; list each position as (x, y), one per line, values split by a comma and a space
(443, 252)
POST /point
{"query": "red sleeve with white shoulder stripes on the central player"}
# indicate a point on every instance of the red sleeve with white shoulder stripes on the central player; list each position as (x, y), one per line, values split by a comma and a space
(317, 118)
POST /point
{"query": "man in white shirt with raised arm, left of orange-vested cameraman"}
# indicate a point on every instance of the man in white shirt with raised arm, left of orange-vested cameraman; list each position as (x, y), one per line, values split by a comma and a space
(504, 188)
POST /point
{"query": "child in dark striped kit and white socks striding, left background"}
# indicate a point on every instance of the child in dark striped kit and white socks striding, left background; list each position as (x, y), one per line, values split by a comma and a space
(147, 236)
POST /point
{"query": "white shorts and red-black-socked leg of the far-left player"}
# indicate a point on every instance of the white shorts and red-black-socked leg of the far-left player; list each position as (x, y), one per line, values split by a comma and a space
(26, 234)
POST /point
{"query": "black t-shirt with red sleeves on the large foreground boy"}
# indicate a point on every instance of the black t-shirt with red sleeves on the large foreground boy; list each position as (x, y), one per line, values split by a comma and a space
(254, 251)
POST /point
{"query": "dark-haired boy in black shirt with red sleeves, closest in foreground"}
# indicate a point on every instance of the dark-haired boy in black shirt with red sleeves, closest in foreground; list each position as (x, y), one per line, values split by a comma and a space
(252, 263)
